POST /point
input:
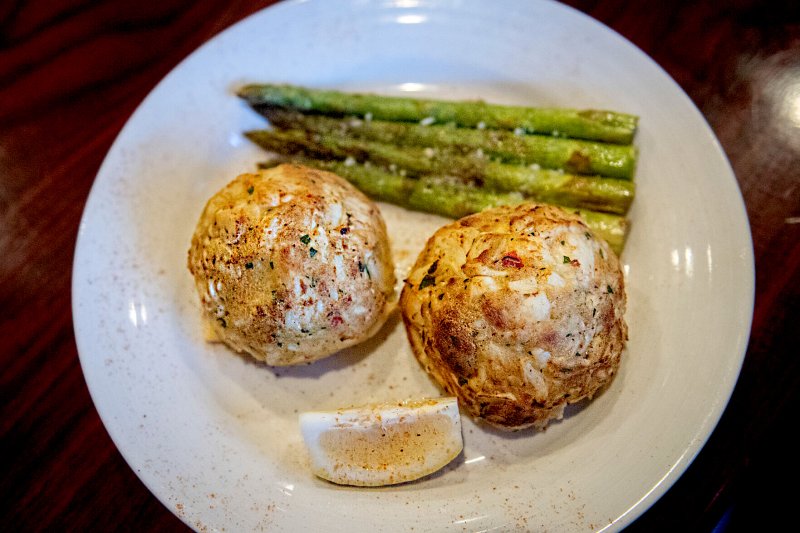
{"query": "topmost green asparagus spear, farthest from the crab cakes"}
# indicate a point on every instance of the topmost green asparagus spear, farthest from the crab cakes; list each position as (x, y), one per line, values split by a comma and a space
(589, 124)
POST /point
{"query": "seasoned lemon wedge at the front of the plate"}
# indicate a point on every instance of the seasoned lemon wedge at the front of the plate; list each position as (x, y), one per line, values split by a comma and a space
(383, 444)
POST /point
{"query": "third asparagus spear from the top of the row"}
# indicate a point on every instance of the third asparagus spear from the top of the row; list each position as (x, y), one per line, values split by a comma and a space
(601, 194)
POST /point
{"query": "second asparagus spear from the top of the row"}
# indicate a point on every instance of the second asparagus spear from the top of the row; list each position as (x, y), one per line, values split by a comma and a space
(573, 156)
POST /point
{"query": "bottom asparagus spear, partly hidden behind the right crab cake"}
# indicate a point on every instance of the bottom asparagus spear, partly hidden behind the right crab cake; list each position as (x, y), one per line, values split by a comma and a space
(447, 196)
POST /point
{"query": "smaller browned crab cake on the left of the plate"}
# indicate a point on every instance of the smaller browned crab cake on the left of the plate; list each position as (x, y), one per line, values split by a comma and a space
(292, 264)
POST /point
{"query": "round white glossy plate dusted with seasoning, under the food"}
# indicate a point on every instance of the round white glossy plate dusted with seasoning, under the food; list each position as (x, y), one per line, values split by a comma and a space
(216, 437)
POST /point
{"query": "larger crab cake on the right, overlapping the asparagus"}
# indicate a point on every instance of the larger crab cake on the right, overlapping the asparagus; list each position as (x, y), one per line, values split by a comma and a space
(517, 311)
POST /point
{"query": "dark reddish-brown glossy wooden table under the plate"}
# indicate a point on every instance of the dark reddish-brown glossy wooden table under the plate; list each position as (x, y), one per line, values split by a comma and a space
(72, 72)
